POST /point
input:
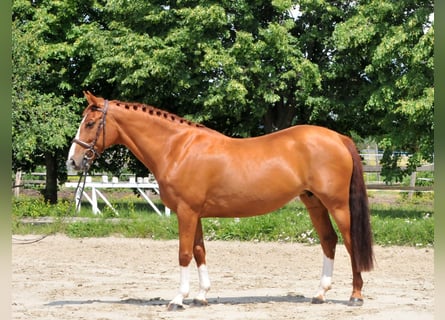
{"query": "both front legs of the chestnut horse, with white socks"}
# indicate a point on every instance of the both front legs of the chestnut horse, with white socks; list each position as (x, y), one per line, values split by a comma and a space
(190, 243)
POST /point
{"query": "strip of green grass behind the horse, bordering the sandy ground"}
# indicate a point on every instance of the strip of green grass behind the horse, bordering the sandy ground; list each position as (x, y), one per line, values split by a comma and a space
(405, 222)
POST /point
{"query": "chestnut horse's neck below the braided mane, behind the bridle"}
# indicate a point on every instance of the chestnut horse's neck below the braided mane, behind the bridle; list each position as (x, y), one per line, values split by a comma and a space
(148, 137)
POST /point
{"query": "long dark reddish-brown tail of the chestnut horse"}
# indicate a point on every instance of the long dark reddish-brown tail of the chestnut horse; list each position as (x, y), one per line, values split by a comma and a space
(361, 235)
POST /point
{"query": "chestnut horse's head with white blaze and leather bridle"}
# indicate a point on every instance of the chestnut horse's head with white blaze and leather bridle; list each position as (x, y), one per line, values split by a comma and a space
(90, 140)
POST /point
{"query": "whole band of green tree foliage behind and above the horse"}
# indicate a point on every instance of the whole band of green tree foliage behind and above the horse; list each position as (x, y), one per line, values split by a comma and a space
(242, 67)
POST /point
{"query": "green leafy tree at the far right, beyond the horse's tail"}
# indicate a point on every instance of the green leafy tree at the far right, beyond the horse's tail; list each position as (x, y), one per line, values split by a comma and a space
(385, 51)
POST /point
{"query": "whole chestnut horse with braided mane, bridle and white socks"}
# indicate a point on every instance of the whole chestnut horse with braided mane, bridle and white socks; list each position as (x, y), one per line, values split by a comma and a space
(203, 173)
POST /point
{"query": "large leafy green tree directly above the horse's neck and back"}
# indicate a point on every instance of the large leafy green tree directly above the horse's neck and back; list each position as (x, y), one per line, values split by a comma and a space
(233, 65)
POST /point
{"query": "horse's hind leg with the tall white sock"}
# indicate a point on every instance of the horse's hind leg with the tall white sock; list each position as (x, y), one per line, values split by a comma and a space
(328, 240)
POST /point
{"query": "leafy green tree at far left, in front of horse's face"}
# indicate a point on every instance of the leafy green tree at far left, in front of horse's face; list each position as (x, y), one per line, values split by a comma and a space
(45, 109)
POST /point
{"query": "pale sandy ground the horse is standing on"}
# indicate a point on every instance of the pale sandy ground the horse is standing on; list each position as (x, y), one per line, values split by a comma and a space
(117, 278)
